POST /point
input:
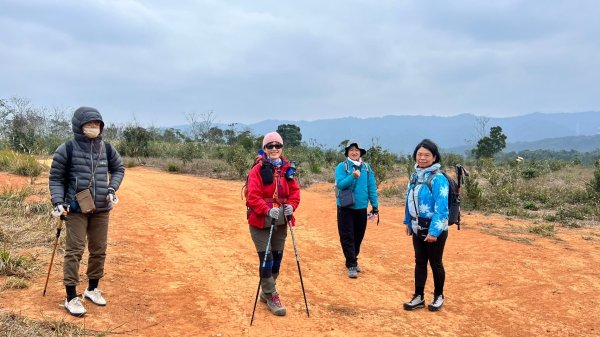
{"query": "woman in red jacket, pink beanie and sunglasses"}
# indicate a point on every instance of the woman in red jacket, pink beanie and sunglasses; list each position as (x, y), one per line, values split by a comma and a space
(273, 196)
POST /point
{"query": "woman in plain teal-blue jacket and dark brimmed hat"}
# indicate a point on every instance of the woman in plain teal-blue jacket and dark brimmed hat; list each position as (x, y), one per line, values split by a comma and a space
(357, 176)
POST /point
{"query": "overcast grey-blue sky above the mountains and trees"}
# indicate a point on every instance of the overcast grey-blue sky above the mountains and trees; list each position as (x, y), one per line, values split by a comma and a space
(248, 61)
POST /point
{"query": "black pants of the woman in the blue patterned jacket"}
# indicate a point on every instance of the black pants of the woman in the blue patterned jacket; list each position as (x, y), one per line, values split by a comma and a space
(431, 252)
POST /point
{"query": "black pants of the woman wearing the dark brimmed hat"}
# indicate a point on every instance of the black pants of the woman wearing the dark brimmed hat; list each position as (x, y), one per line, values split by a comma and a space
(352, 225)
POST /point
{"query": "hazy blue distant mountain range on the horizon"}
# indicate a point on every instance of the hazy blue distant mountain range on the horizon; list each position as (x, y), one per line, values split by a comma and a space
(550, 131)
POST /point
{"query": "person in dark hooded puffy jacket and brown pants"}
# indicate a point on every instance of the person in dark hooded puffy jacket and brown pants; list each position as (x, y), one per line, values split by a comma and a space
(85, 163)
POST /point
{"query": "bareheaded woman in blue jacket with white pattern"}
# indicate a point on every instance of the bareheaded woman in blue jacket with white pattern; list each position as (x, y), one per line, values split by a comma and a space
(426, 219)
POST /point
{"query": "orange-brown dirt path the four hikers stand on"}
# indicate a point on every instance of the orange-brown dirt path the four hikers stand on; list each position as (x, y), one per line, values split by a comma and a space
(181, 263)
